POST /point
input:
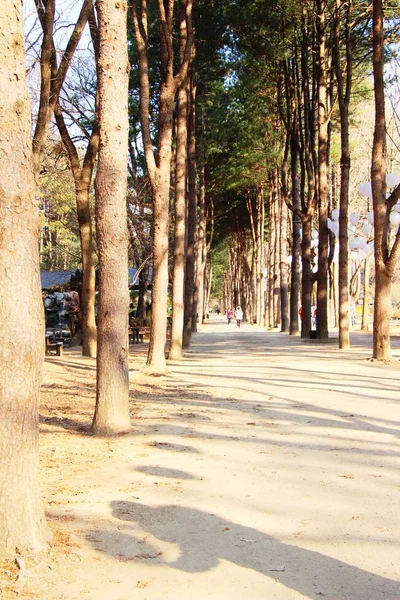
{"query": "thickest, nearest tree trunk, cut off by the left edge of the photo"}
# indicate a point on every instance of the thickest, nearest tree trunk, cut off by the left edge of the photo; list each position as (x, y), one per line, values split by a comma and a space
(22, 522)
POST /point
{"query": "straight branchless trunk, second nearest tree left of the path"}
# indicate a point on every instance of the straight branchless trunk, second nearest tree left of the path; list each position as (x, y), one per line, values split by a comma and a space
(112, 394)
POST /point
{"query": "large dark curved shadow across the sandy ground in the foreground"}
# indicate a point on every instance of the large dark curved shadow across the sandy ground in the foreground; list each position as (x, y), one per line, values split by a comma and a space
(204, 539)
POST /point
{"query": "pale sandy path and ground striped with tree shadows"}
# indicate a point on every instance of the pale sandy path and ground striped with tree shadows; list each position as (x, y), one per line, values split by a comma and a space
(261, 468)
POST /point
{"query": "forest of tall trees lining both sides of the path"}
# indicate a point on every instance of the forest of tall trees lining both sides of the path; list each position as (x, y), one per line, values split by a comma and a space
(233, 153)
